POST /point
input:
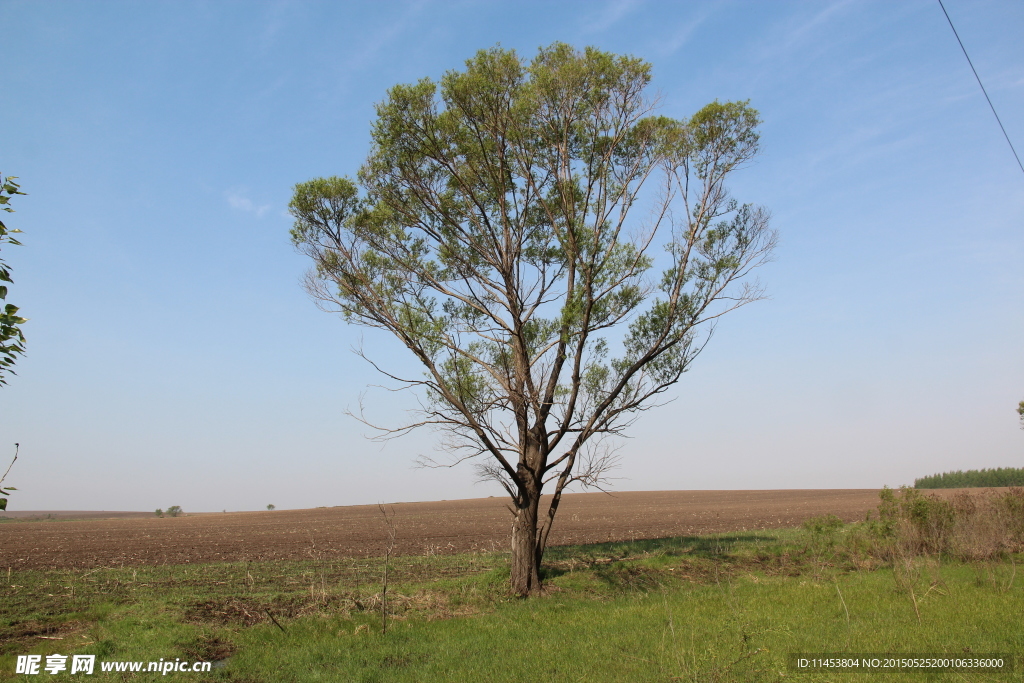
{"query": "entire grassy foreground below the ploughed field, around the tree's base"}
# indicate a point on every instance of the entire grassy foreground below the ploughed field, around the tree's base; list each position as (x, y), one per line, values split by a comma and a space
(728, 608)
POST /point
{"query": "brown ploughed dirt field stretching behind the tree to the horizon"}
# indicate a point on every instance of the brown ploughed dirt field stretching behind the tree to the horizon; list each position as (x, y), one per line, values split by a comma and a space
(422, 528)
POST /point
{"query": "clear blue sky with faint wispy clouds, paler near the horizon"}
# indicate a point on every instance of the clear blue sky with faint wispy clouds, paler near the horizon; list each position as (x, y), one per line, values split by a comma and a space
(175, 360)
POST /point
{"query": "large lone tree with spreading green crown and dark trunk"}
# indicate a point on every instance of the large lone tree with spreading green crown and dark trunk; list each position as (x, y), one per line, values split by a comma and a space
(497, 231)
